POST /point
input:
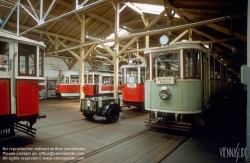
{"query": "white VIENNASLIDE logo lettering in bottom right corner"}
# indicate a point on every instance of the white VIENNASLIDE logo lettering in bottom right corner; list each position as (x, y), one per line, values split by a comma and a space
(233, 152)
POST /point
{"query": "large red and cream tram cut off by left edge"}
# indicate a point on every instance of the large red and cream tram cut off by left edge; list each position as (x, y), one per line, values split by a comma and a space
(22, 67)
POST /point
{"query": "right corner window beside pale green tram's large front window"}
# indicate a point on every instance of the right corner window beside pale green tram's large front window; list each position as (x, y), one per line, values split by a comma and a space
(192, 64)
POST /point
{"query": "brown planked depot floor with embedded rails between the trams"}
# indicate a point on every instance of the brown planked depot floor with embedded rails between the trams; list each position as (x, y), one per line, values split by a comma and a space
(123, 140)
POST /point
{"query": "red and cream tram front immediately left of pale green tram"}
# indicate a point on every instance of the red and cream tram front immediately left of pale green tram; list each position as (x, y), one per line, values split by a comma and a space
(133, 77)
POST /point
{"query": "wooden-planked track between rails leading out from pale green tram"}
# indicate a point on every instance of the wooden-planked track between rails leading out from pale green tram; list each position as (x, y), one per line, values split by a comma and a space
(102, 154)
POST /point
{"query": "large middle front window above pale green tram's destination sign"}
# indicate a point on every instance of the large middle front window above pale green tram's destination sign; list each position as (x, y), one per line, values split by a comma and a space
(166, 65)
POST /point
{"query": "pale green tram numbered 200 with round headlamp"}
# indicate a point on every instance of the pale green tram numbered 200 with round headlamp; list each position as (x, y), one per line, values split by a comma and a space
(182, 79)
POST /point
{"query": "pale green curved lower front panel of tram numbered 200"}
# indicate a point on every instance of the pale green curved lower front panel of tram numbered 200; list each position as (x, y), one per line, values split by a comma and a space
(186, 97)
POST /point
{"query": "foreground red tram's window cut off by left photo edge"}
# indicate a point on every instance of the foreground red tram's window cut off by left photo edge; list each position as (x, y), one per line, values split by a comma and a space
(4, 56)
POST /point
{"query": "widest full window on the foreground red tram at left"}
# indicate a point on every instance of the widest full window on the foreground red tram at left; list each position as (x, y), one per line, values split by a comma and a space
(27, 60)
